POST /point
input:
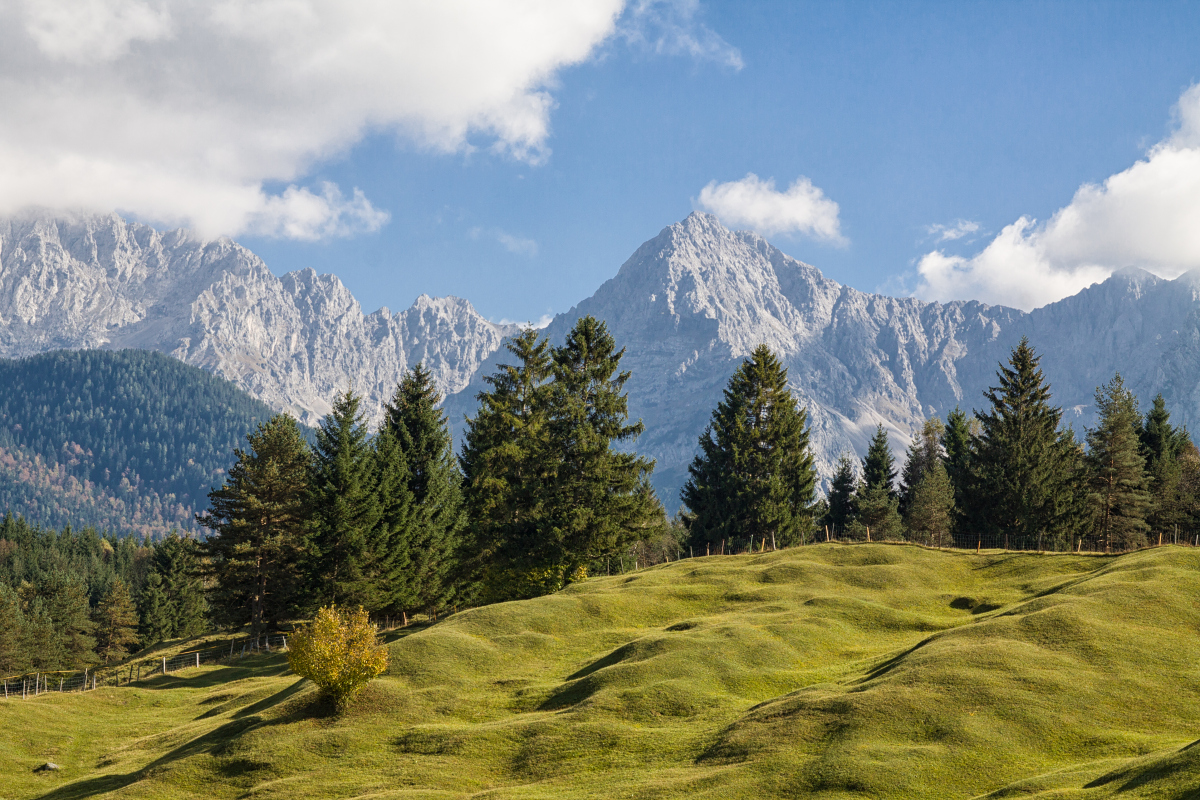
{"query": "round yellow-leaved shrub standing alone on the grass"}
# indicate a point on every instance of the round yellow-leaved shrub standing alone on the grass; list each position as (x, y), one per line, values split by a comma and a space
(339, 653)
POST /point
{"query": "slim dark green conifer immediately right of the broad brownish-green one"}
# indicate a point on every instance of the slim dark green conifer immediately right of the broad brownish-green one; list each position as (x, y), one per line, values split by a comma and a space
(346, 509)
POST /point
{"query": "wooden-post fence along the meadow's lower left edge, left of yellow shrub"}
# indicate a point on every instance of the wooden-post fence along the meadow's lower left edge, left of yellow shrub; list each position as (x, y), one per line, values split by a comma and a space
(35, 684)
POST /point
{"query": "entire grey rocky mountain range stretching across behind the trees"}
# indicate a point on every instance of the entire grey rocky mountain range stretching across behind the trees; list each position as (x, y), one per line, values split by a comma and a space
(688, 306)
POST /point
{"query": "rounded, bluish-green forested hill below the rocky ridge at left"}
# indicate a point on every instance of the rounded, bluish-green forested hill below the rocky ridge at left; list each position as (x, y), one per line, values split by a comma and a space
(125, 441)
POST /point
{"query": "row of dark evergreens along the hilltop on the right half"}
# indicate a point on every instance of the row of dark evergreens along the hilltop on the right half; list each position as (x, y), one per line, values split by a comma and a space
(1011, 471)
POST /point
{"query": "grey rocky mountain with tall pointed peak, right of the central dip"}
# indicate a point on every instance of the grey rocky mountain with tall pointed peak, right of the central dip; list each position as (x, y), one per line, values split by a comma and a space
(695, 300)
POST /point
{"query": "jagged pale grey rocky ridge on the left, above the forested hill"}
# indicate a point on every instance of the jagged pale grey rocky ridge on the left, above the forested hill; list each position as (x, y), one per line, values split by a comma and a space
(291, 341)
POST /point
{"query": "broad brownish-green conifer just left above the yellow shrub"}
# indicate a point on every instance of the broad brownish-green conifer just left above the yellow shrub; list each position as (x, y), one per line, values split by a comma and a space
(260, 518)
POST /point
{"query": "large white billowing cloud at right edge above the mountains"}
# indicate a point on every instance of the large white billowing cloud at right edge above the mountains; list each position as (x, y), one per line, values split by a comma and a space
(1147, 216)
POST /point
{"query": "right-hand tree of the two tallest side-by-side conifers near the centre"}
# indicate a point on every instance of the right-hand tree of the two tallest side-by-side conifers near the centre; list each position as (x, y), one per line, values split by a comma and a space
(598, 500)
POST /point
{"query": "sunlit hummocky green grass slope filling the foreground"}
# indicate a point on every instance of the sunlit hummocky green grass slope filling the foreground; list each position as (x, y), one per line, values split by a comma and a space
(867, 671)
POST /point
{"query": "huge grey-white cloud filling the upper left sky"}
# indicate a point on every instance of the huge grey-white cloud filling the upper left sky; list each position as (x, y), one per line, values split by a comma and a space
(182, 112)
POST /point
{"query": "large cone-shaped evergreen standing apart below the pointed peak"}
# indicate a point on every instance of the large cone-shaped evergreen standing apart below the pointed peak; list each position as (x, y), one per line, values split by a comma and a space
(754, 473)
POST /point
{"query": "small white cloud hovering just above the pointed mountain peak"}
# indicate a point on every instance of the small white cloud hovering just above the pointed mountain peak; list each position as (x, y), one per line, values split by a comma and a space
(755, 203)
